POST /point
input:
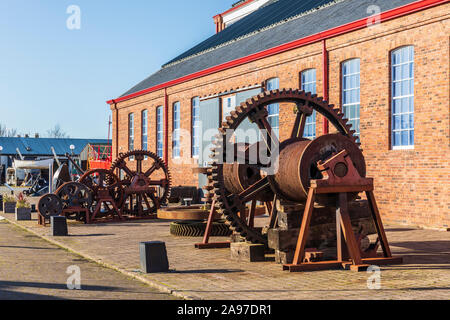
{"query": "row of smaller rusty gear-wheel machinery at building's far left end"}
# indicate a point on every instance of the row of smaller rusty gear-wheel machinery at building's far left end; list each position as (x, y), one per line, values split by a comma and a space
(101, 194)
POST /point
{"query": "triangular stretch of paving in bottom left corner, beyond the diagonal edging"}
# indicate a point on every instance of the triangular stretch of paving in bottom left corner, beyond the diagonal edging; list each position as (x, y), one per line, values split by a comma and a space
(32, 268)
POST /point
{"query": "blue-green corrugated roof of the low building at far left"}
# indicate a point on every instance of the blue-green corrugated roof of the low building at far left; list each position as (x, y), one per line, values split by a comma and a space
(42, 146)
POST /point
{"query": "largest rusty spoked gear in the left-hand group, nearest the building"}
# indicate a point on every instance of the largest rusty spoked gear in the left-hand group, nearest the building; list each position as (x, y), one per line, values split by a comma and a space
(140, 198)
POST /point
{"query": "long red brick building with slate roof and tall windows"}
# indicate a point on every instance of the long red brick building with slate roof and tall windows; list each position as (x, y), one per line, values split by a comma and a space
(384, 63)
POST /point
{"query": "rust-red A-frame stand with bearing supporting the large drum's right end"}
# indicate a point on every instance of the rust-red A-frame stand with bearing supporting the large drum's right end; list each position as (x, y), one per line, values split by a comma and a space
(341, 180)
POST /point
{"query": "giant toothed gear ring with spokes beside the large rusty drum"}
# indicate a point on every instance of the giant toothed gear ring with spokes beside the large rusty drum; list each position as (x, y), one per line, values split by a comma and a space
(255, 109)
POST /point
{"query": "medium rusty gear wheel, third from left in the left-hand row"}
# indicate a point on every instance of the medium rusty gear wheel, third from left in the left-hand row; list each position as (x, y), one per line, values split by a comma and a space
(102, 181)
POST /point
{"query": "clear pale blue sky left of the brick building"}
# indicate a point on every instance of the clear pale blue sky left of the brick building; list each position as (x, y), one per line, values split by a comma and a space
(50, 74)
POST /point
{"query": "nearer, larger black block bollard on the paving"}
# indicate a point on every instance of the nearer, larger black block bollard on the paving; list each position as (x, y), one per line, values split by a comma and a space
(153, 257)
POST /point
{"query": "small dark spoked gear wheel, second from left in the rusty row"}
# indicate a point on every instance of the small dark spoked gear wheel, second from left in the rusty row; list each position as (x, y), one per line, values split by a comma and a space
(75, 195)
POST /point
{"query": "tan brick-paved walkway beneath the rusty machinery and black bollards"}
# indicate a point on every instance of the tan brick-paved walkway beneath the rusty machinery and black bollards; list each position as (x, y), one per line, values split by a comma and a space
(210, 274)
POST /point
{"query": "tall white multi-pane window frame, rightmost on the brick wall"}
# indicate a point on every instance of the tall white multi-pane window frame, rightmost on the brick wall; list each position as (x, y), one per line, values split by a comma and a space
(410, 62)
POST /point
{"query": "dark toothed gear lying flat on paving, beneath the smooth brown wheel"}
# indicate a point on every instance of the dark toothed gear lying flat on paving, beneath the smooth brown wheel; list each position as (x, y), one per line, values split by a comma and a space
(197, 229)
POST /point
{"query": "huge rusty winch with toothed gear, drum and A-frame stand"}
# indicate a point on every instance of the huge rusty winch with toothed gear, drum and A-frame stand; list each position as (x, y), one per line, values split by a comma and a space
(329, 171)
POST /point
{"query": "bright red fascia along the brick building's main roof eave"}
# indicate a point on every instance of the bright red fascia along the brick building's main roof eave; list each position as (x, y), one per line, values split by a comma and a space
(359, 24)
